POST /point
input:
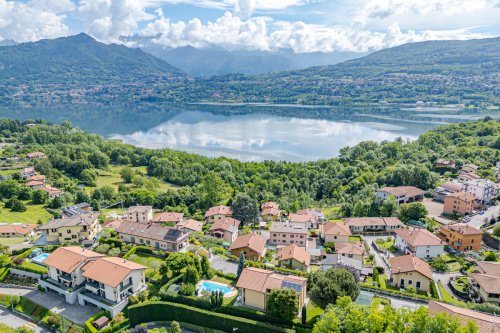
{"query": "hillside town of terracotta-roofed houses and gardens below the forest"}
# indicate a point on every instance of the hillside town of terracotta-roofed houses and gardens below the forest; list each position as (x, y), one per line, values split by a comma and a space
(77, 257)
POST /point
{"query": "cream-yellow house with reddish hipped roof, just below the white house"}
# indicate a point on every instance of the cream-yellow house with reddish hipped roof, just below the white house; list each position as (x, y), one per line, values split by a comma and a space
(410, 271)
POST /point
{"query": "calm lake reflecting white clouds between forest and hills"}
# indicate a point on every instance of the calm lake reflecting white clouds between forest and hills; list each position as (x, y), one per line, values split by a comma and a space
(252, 132)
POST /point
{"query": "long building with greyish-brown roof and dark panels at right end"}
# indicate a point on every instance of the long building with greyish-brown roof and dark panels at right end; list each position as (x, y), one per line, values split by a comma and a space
(168, 239)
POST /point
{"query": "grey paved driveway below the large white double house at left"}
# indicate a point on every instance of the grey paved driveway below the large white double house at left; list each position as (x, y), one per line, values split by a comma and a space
(55, 303)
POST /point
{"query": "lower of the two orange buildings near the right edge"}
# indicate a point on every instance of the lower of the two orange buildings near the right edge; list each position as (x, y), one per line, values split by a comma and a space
(461, 236)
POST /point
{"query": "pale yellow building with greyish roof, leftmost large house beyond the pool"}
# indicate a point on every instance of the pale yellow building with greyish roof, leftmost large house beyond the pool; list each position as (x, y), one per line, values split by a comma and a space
(72, 229)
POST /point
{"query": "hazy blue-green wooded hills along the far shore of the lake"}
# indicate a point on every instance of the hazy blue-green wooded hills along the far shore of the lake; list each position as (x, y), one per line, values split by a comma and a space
(79, 70)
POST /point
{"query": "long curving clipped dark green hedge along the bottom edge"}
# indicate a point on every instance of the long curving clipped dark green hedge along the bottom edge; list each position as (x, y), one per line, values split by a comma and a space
(166, 311)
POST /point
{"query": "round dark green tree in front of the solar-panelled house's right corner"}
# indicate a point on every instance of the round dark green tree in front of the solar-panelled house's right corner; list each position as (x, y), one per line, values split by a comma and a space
(283, 303)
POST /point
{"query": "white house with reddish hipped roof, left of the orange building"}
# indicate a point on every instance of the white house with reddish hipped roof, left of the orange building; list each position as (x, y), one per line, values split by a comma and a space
(419, 242)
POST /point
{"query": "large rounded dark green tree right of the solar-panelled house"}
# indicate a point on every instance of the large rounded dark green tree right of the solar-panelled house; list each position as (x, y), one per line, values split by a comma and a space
(327, 286)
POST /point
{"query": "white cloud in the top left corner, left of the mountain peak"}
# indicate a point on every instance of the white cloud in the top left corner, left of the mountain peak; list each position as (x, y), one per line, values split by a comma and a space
(30, 21)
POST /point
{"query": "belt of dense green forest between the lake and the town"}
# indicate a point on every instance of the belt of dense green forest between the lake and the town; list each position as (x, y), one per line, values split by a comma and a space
(348, 182)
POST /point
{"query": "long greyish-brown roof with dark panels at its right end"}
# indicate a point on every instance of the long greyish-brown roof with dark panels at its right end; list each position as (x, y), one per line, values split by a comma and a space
(152, 231)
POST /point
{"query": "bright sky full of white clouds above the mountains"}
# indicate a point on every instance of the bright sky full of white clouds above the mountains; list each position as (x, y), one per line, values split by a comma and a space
(266, 25)
